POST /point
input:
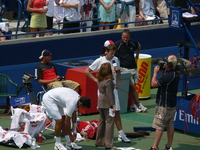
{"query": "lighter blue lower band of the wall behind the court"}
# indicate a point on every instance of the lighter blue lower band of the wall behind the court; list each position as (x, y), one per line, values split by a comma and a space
(15, 72)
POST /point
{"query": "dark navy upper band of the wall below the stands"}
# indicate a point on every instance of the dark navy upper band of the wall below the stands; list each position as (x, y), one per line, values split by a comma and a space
(28, 50)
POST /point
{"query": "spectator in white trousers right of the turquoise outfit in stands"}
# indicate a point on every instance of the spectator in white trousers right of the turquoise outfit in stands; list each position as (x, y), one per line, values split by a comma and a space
(126, 11)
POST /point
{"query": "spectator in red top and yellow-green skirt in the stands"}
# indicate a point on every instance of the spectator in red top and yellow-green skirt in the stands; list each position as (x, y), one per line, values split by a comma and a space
(38, 16)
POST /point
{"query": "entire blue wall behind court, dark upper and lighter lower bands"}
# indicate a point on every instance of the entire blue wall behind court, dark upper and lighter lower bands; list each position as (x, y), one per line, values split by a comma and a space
(19, 56)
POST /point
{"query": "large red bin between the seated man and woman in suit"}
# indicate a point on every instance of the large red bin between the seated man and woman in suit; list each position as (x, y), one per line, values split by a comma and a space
(87, 87)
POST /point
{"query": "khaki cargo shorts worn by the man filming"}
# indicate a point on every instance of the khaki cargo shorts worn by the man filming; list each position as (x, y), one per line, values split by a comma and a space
(164, 117)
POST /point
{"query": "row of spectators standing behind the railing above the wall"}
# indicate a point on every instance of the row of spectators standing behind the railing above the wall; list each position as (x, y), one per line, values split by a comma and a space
(71, 13)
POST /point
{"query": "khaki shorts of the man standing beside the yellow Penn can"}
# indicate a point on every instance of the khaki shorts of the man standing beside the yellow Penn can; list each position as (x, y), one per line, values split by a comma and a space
(134, 75)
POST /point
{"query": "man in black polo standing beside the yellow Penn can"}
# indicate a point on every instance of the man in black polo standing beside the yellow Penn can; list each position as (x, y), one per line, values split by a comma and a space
(128, 63)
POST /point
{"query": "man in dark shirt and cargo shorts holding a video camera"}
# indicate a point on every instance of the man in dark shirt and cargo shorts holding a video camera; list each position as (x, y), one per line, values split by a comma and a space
(166, 100)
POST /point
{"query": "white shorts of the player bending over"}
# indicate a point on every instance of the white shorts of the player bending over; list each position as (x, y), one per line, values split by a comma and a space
(53, 109)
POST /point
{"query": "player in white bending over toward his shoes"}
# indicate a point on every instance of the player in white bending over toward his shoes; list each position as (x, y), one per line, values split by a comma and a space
(55, 100)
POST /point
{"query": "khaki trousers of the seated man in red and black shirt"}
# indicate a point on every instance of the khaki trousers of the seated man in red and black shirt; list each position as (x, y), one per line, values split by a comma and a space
(65, 83)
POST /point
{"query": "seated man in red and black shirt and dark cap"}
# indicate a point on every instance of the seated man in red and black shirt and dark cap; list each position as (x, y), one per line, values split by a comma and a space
(46, 74)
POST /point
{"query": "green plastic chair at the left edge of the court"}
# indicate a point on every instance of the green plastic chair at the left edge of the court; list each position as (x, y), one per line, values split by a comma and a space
(7, 87)
